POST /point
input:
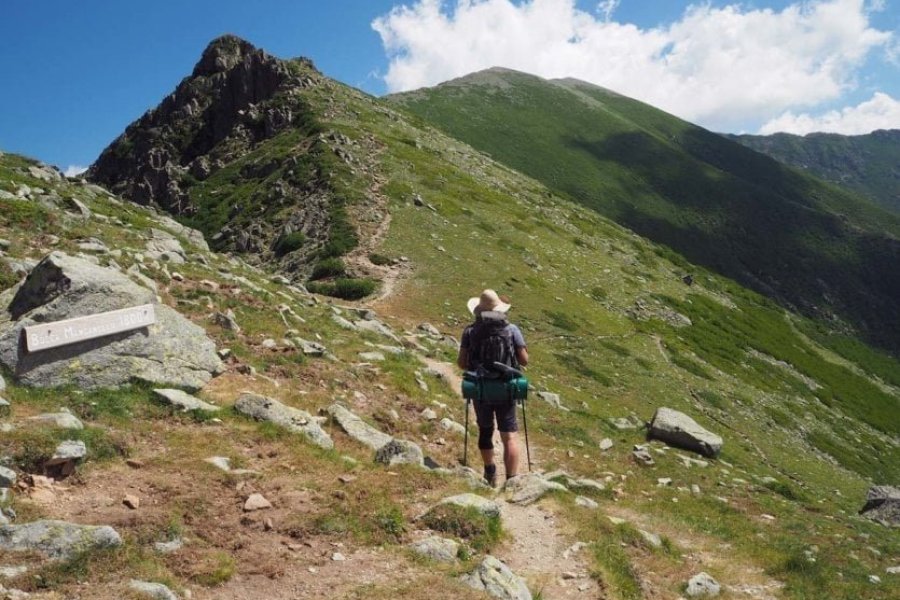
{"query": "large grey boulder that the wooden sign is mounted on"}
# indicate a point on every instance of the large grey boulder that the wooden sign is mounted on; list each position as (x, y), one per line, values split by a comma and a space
(173, 351)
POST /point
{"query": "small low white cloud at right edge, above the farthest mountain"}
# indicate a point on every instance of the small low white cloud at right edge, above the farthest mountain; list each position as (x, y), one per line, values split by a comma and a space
(881, 112)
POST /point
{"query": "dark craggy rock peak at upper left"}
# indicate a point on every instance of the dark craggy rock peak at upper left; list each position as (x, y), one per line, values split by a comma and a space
(236, 99)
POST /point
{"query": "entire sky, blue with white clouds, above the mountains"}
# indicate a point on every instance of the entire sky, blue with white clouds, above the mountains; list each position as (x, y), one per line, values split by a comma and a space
(75, 74)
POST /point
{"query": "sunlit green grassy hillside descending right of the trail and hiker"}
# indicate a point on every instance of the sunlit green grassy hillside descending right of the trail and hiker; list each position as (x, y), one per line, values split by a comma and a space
(598, 305)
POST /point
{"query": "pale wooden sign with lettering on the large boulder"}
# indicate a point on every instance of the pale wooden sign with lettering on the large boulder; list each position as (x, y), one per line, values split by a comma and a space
(79, 329)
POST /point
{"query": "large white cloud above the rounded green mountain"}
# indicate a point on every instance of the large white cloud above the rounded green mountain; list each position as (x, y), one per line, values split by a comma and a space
(724, 67)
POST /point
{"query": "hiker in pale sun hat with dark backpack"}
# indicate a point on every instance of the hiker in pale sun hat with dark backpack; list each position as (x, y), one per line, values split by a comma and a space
(492, 338)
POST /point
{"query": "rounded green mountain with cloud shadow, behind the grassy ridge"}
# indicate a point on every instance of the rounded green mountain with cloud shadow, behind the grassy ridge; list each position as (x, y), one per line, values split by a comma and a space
(793, 237)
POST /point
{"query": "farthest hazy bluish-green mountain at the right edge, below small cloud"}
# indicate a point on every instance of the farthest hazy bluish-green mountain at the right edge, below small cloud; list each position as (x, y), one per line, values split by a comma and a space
(869, 164)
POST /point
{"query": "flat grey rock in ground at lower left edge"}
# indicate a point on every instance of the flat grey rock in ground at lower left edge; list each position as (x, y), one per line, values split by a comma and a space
(56, 539)
